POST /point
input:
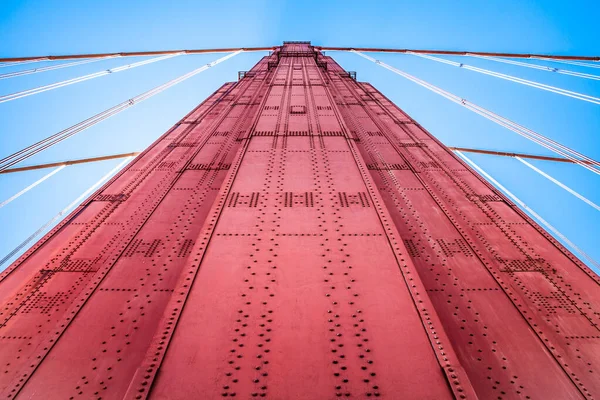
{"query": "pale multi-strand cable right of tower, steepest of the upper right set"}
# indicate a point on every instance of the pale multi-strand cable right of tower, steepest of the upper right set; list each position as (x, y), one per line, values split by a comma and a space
(550, 144)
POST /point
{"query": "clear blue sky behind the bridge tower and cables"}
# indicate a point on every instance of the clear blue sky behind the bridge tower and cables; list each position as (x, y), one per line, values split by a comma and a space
(45, 27)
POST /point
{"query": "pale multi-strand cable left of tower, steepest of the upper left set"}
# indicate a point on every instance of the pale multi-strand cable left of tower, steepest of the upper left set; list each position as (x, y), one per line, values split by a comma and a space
(35, 148)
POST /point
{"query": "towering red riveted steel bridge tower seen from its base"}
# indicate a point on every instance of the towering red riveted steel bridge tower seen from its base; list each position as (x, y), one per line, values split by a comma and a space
(297, 236)
